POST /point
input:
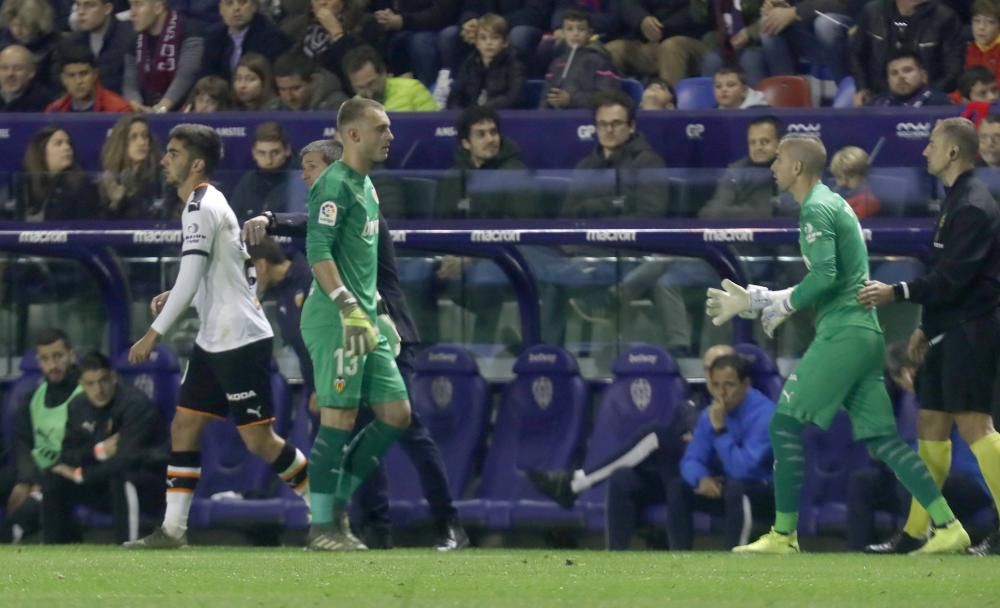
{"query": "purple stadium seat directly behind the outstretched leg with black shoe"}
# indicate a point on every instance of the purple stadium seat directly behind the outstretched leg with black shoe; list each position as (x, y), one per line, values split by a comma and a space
(647, 389)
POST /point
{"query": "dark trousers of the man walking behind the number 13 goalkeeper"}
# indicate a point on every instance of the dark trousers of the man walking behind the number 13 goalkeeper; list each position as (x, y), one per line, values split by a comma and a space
(373, 495)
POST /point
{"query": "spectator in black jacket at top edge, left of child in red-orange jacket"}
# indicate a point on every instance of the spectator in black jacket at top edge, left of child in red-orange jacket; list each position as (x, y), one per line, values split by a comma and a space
(885, 28)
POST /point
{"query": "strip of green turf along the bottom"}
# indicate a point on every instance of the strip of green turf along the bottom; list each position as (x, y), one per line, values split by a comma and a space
(220, 577)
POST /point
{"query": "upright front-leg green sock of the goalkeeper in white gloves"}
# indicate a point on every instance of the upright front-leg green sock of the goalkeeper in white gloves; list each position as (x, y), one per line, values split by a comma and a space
(789, 469)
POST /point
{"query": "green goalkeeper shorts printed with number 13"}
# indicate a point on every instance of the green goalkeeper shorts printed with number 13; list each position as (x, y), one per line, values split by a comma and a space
(343, 381)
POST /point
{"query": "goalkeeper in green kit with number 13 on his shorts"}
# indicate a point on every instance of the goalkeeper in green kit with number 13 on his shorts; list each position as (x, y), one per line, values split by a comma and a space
(352, 362)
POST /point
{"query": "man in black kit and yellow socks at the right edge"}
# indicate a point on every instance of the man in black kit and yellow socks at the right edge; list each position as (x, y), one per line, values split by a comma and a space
(958, 342)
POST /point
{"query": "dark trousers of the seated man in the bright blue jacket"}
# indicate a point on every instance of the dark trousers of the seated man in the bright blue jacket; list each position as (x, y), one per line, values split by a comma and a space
(742, 502)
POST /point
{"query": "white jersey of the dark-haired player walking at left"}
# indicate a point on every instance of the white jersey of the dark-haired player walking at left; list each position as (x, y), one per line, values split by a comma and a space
(226, 299)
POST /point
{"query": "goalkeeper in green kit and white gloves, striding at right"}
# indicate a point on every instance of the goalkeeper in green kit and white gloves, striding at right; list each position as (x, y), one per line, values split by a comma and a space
(843, 365)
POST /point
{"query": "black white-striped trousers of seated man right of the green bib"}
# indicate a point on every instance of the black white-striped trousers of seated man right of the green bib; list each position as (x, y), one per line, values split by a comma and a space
(126, 496)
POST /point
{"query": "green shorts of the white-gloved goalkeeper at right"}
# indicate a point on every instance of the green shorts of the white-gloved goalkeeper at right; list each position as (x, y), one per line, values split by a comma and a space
(841, 369)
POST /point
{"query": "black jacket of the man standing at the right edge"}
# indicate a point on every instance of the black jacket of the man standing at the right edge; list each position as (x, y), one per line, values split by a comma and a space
(962, 281)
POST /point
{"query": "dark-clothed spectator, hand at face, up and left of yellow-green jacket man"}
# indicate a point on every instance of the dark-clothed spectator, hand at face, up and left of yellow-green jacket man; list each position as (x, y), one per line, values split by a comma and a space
(331, 29)
